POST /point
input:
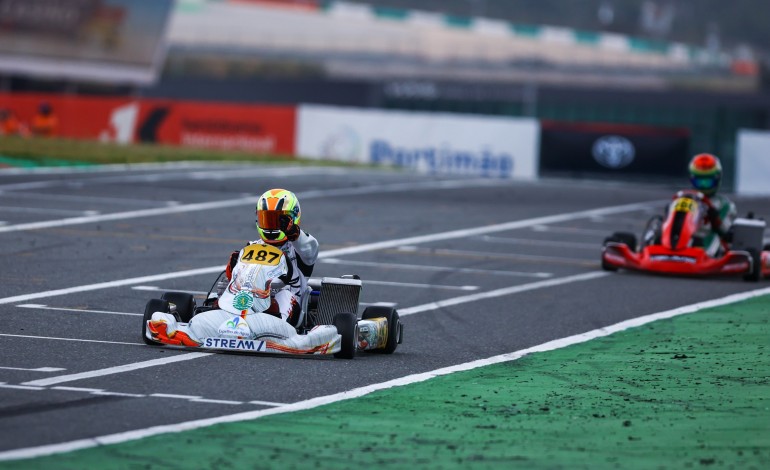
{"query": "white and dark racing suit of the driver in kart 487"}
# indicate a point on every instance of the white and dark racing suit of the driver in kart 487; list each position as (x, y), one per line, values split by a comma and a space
(301, 255)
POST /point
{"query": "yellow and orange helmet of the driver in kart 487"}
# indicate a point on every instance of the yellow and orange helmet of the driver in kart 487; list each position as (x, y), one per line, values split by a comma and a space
(277, 211)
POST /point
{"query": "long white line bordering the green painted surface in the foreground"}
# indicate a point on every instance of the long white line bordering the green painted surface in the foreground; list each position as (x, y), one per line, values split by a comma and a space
(358, 392)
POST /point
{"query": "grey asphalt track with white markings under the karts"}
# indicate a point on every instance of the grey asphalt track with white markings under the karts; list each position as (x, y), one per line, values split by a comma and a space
(477, 268)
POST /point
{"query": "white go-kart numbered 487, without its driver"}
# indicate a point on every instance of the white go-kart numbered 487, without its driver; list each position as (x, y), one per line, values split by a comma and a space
(232, 317)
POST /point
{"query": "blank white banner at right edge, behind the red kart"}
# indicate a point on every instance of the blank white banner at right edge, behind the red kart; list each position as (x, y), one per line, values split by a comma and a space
(752, 172)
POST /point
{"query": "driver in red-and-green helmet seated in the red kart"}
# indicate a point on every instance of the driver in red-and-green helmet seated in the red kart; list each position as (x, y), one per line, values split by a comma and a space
(705, 175)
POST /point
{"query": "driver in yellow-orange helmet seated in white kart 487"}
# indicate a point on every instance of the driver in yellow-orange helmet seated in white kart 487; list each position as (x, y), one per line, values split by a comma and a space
(278, 216)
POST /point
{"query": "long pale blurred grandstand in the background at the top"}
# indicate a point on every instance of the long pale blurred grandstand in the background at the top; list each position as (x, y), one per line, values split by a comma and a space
(377, 41)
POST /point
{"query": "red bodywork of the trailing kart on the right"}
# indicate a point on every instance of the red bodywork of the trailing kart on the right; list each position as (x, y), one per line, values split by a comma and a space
(673, 254)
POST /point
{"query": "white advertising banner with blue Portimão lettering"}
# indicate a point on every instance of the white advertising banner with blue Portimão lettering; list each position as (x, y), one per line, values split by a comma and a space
(427, 142)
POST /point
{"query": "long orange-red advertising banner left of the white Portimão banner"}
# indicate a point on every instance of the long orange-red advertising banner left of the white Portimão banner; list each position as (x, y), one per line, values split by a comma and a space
(224, 126)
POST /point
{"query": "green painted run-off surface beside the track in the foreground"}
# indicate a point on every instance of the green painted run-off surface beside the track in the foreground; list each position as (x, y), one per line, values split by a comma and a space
(690, 392)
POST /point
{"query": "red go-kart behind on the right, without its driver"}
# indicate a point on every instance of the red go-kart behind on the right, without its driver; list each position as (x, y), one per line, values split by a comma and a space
(670, 245)
